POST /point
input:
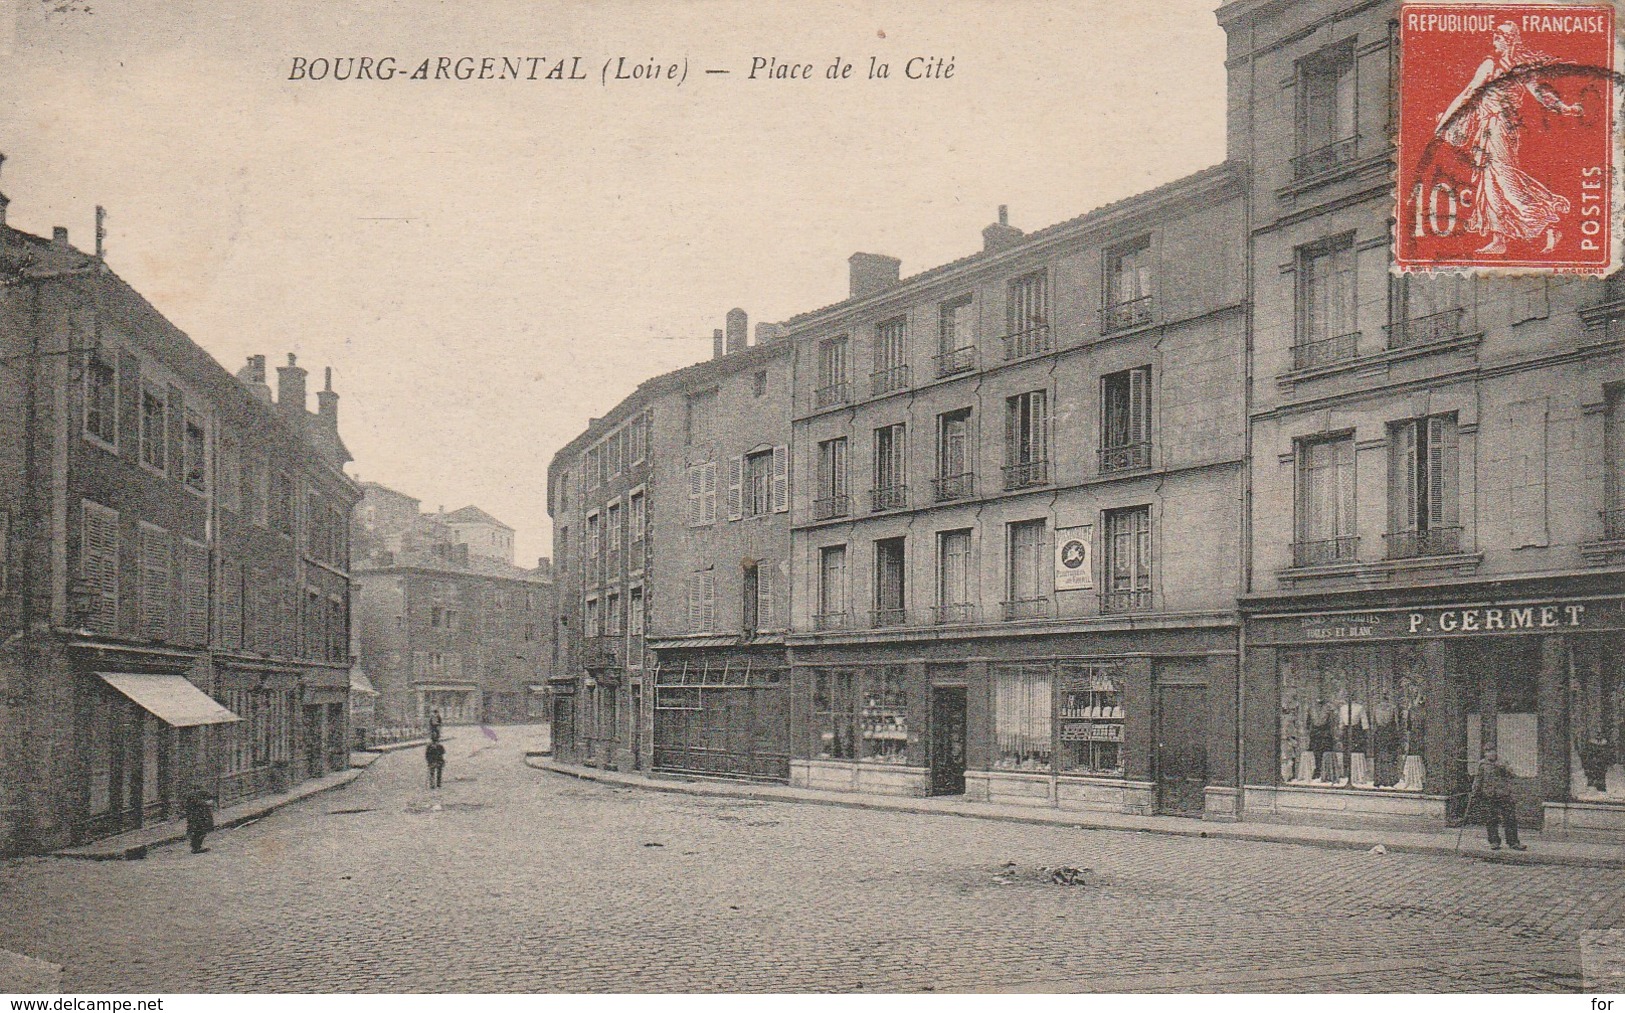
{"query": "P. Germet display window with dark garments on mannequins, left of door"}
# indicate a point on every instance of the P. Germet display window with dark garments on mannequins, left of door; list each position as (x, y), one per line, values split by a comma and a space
(1353, 718)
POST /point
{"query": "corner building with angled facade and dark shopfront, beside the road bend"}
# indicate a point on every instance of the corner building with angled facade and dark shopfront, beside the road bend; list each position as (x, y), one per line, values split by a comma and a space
(672, 534)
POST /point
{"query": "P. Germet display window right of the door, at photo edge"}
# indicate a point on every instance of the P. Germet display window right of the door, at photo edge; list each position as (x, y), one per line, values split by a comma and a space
(1597, 705)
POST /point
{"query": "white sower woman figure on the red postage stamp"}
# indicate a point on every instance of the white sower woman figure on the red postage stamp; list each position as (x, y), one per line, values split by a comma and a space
(1509, 204)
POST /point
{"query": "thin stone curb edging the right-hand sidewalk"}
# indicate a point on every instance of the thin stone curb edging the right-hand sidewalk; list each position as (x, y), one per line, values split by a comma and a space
(1218, 832)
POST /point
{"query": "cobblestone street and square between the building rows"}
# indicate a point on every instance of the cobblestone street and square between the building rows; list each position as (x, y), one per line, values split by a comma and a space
(513, 879)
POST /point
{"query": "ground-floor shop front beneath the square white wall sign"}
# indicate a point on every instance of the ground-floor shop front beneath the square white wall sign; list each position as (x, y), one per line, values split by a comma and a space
(1109, 723)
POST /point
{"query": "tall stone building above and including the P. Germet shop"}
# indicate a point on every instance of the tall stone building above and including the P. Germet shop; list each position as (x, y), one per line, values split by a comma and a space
(1436, 539)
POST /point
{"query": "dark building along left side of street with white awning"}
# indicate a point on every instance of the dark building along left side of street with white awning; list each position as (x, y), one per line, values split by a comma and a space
(175, 580)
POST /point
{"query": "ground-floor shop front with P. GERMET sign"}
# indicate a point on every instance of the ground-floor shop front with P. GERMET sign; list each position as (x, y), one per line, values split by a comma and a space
(1382, 715)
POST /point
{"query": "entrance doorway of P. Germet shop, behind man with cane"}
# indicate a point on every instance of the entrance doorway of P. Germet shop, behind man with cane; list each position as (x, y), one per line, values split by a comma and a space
(1501, 697)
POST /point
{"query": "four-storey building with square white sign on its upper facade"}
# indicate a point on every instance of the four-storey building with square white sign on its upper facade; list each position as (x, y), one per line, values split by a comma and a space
(1016, 505)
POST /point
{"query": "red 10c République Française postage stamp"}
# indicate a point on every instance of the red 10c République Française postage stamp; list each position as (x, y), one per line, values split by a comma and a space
(1507, 142)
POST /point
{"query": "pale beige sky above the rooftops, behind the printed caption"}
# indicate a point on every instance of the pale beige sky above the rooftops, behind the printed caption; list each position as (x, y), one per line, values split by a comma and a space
(487, 264)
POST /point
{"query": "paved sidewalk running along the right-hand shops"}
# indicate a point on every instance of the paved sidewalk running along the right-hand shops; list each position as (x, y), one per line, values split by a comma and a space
(1423, 843)
